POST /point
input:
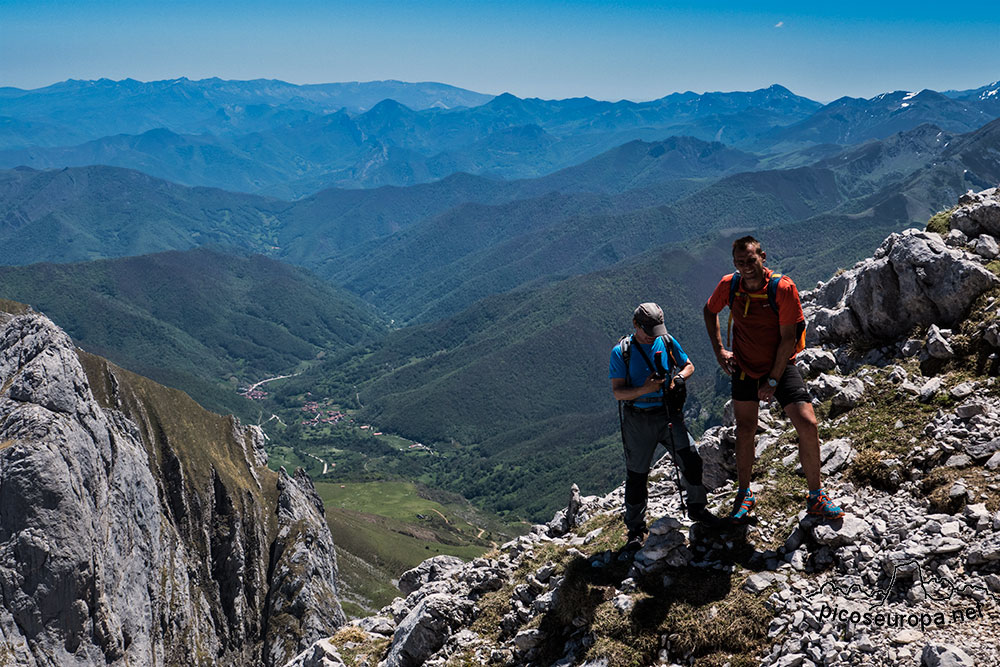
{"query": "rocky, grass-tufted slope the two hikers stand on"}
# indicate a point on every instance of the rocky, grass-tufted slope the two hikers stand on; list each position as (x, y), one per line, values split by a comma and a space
(902, 366)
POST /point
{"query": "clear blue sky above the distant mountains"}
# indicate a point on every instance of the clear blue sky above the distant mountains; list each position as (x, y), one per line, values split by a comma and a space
(548, 48)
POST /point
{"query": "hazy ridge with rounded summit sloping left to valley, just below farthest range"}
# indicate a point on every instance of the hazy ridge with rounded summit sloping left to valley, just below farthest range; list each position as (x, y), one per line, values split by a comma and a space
(333, 221)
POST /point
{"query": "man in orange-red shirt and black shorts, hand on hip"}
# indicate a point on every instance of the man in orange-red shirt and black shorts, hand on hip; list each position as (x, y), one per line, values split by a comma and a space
(768, 330)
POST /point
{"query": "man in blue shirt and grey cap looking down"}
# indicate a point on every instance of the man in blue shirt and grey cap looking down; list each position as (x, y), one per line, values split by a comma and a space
(649, 418)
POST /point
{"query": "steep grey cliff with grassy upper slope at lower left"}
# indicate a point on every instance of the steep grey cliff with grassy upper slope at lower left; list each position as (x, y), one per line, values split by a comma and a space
(119, 545)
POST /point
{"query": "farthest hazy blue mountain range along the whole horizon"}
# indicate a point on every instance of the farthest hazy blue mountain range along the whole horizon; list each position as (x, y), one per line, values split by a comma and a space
(278, 139)
